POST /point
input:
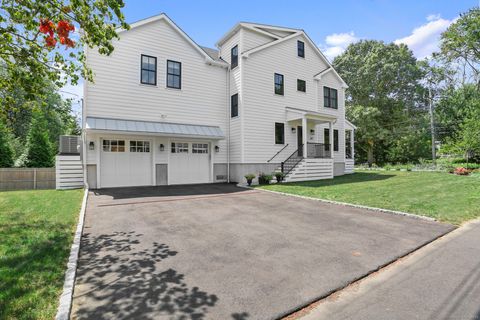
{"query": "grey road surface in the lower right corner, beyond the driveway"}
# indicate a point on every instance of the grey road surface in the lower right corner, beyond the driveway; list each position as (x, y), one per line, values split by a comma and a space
(440, 281)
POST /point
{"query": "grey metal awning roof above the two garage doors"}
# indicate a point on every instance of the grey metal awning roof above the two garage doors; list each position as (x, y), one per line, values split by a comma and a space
(154, 128)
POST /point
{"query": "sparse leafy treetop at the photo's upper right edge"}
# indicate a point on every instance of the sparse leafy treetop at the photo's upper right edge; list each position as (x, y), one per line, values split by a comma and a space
(460, 43)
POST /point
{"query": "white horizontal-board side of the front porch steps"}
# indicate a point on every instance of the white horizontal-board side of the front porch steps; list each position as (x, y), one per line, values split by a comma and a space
(311, 169)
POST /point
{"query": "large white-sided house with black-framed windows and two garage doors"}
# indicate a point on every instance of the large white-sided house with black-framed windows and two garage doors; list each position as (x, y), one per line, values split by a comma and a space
(164, 110)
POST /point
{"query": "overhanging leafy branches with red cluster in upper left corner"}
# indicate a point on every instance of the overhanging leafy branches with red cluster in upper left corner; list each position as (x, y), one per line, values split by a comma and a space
(39, 40)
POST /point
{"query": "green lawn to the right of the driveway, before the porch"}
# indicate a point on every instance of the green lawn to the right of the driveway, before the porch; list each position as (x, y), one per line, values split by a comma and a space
(443, 196)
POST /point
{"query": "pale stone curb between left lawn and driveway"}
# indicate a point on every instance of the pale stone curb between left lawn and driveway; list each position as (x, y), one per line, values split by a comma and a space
(63, 311)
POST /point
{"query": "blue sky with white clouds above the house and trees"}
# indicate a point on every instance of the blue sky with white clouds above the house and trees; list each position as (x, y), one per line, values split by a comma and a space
(332, 25)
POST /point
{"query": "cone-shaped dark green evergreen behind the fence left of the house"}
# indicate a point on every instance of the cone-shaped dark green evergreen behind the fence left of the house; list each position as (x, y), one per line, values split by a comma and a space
(39, 152)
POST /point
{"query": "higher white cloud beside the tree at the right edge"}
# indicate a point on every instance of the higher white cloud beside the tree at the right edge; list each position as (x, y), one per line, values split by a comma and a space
(424, 40)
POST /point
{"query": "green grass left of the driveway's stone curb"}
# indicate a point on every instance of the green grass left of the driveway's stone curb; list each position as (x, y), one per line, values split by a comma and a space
(36, 232)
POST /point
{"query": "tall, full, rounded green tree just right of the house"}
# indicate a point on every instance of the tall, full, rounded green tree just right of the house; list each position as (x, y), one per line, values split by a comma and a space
(383, 95)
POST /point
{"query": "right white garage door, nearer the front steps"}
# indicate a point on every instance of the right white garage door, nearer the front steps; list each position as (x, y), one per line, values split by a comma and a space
(189, 163)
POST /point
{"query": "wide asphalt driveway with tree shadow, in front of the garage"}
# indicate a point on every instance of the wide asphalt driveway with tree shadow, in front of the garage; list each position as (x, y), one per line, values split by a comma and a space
(221, 252)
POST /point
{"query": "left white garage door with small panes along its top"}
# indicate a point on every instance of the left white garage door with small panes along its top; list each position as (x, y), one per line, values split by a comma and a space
(125, 163)
